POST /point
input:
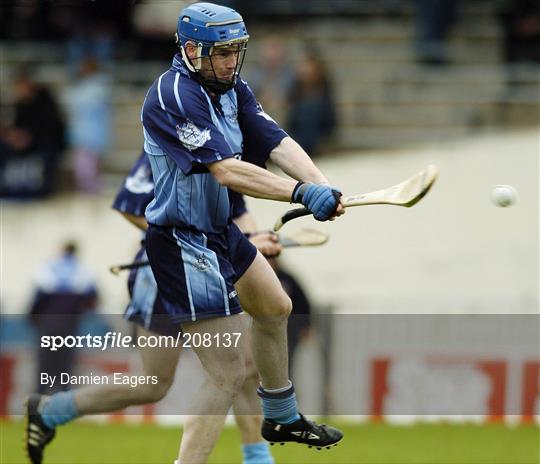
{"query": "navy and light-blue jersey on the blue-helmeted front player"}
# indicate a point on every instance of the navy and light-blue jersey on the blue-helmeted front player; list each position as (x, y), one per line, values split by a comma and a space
(184, 130)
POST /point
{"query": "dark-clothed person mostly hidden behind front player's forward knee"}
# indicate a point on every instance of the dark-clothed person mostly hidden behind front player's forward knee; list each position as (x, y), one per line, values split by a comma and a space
(298, 328)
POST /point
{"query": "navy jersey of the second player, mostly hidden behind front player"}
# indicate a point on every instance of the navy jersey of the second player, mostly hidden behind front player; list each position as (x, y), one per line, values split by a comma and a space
(137, 191)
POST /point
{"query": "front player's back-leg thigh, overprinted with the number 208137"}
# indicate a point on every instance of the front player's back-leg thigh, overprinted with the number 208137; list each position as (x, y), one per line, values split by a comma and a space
(218, 344)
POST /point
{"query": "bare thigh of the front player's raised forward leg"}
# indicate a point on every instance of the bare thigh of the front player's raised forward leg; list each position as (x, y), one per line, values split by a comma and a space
(260, 291)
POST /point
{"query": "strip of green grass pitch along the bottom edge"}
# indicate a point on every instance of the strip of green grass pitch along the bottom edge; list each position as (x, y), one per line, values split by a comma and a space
(90, 443)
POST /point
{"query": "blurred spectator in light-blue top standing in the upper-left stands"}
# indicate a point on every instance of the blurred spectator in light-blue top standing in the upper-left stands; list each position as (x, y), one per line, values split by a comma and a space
(89, 110)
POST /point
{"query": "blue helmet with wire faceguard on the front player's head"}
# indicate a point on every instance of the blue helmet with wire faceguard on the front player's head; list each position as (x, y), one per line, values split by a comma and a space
(212, 29)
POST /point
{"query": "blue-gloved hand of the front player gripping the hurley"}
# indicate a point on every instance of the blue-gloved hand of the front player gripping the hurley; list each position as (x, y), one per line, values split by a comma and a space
(322, 200)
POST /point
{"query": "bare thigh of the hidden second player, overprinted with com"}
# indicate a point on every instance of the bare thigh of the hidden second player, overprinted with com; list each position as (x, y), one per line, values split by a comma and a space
(160, 361)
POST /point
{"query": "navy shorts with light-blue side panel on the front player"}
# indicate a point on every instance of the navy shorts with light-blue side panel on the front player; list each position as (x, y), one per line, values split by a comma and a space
(196, 272)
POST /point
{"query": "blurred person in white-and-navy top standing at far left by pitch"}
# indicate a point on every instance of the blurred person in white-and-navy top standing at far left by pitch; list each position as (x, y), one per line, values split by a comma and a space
(64, 289)
